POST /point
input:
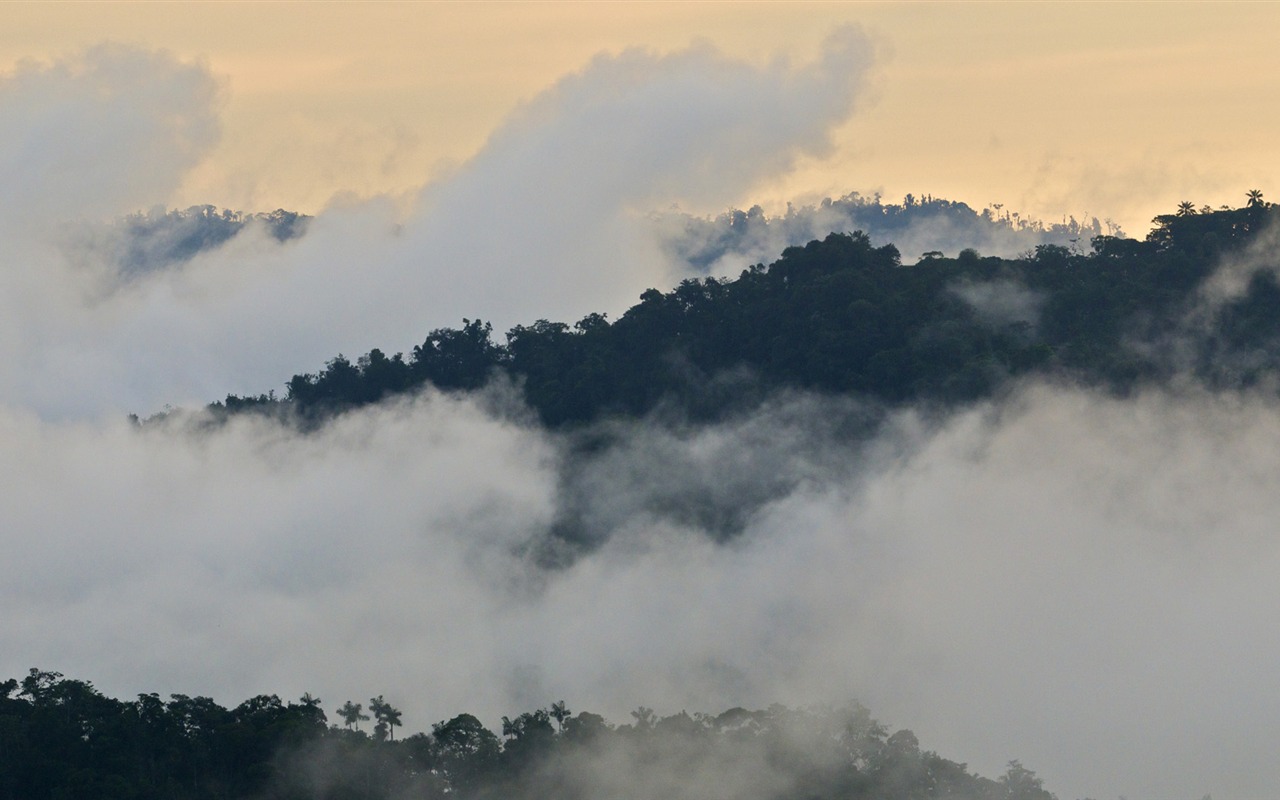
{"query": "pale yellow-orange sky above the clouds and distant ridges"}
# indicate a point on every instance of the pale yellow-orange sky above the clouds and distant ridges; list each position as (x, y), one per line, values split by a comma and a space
(1110, 109)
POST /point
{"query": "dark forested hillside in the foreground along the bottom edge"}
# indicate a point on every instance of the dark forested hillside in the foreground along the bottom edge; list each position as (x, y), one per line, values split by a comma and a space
(62, 739)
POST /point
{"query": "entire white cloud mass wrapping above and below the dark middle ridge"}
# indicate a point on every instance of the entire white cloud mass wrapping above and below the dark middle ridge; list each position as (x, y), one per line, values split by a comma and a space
(1080, 583)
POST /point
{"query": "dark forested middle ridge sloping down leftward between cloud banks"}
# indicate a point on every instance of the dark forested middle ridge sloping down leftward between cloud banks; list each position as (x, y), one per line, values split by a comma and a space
(842, 316)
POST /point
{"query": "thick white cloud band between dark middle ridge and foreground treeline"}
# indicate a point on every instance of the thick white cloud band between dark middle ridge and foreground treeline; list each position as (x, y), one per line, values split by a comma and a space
(1007, 583)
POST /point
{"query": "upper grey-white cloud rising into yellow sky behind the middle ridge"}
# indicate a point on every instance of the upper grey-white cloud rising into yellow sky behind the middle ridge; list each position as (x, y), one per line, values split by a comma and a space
(546, 222)
